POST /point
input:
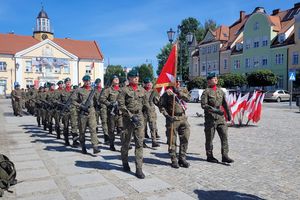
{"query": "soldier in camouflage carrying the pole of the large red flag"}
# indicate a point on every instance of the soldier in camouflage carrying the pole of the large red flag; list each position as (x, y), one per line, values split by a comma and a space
(181, 127)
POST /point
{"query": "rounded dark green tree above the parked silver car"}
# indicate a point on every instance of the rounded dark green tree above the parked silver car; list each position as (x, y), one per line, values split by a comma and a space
(262, 78)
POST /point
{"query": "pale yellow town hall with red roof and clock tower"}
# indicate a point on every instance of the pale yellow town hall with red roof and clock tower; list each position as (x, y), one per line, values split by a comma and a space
(35, 60)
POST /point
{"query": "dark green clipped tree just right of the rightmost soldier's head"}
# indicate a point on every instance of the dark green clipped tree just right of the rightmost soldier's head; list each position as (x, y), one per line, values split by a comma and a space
(233, 80)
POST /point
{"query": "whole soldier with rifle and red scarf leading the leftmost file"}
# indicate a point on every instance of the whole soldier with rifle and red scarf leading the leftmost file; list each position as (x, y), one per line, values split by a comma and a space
(87, 114)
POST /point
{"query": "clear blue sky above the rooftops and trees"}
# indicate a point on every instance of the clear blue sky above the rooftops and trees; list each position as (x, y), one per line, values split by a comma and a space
(129, 32)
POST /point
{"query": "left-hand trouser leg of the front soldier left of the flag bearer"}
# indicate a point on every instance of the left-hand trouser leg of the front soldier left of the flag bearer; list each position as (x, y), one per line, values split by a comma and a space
(125, 140)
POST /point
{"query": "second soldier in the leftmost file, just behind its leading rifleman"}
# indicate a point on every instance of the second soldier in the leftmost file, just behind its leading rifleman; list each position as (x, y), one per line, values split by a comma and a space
(70, 114)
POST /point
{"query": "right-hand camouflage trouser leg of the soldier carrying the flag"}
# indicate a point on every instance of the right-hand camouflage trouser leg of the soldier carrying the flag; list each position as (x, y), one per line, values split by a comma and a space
(184, 135)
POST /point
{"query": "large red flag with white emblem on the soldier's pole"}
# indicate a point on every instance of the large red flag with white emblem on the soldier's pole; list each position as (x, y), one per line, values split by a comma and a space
(167, 76)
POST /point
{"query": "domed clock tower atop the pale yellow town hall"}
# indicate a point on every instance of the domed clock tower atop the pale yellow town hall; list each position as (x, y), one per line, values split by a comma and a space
(43, 27)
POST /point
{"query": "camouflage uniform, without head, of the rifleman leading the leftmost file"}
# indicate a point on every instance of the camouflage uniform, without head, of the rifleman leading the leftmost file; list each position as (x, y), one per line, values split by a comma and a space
(87, 119)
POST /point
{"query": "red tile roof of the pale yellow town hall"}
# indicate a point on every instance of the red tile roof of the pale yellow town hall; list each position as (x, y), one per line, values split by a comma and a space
(11, 44)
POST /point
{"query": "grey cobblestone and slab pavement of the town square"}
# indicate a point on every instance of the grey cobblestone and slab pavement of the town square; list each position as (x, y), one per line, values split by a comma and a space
(267, 163)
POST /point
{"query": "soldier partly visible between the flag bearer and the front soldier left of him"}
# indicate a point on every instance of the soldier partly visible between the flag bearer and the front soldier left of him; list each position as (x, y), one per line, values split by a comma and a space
(153, 100)
